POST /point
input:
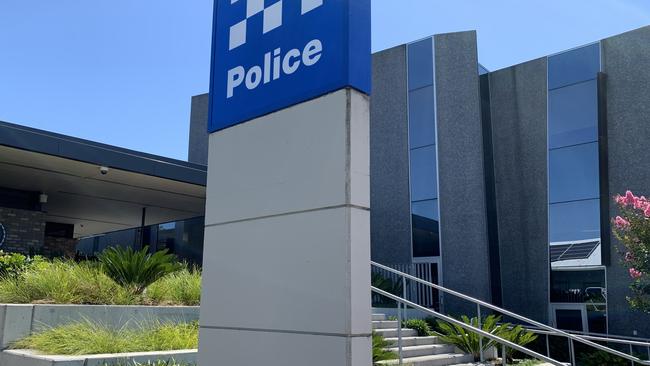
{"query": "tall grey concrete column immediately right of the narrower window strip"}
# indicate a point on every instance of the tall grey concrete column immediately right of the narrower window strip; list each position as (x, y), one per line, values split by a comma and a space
(461, 178)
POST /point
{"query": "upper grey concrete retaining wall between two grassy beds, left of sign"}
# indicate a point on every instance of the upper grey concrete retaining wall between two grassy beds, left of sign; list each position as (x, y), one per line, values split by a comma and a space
(19, 321)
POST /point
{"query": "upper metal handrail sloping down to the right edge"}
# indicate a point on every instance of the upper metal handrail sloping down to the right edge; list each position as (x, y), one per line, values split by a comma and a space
(480, 303)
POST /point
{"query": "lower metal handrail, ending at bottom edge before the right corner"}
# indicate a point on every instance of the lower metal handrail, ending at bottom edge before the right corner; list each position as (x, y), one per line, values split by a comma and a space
(469, 327)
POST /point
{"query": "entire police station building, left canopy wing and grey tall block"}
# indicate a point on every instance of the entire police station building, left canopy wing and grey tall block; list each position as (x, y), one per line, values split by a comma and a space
(496, 184)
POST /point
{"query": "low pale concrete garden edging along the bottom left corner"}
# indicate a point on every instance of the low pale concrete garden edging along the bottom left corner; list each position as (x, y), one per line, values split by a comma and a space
(29, 358)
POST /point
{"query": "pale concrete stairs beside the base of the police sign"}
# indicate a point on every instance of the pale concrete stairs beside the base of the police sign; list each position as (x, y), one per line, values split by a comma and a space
(417, 351)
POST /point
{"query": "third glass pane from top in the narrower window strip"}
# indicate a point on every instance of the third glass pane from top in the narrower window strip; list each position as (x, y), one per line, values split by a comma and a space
(424, 185)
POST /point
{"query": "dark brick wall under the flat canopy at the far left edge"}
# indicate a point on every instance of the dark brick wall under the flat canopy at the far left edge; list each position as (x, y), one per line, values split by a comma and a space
(25, 230)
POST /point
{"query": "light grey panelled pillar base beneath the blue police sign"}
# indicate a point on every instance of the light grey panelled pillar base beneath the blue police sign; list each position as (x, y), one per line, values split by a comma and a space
(286, 271)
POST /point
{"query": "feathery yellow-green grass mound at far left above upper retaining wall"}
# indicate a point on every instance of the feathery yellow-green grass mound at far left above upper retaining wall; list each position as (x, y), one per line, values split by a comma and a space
(64, 282)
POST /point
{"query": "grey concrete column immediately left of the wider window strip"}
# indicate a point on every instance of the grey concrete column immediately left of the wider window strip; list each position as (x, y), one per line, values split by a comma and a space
(519, 117)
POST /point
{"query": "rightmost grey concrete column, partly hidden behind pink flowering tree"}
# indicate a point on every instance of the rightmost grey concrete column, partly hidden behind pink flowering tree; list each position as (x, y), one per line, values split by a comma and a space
(626, 63)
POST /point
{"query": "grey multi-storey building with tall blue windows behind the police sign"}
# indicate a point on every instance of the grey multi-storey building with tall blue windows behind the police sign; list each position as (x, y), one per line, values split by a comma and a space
(499, 183)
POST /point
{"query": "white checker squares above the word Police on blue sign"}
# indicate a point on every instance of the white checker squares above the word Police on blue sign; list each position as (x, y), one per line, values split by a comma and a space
(272, 17)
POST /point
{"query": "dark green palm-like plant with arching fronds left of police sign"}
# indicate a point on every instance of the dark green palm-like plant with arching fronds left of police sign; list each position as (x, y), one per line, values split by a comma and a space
(137, 269)
